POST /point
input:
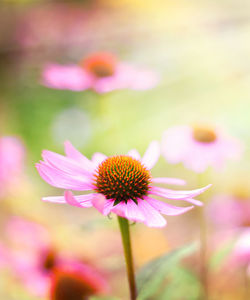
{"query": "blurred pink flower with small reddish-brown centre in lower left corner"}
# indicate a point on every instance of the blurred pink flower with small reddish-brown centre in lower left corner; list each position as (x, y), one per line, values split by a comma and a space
(32, 258)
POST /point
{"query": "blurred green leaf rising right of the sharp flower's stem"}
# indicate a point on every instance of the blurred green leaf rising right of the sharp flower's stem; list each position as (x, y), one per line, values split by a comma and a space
(152, 275)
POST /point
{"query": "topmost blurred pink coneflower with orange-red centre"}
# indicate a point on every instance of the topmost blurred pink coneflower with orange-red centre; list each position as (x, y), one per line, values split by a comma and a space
(101, 72)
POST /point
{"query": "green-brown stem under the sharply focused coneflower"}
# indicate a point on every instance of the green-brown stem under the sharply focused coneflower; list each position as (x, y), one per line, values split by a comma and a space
(124, 228)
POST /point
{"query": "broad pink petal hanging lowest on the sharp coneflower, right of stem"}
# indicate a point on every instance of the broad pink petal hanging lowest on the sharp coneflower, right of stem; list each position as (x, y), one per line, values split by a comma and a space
(152, 217)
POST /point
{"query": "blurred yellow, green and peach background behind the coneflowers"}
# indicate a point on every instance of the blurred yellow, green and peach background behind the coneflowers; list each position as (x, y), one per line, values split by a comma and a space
(200, 49)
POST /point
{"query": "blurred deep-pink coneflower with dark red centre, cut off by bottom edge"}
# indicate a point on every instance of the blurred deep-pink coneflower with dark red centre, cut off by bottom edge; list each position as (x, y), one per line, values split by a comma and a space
(76, 282)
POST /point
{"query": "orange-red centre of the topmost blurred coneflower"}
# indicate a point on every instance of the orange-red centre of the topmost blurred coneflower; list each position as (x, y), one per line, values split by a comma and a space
(100, 64)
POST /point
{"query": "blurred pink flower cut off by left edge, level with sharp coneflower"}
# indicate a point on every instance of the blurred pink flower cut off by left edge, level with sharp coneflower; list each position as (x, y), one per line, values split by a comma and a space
(11, 161)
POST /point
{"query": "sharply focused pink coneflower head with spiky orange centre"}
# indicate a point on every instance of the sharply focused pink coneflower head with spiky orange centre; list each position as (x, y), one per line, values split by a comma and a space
(121, 184)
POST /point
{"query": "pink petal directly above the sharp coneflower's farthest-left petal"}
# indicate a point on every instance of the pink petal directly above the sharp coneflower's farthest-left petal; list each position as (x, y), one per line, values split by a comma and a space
(66, 164)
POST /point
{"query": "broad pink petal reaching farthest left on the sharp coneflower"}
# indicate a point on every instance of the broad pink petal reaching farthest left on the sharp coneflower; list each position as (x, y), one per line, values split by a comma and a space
(62, 180)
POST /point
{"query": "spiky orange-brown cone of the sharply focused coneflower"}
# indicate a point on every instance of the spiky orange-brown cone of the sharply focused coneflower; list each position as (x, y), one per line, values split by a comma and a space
(122, 178)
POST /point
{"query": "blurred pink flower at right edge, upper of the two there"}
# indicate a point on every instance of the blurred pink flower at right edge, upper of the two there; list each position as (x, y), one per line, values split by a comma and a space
(229, 211)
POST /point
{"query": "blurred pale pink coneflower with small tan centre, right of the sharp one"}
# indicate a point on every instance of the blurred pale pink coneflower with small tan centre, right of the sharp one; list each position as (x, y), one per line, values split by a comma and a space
(199, 147)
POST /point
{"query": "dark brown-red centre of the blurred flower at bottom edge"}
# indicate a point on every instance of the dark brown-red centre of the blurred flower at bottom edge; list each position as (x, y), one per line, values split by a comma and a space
(69, 286)
